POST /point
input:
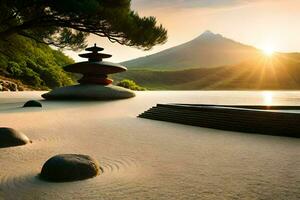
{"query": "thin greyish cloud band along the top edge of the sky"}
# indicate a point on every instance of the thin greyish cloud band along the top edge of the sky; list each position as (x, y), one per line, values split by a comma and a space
(189, 3)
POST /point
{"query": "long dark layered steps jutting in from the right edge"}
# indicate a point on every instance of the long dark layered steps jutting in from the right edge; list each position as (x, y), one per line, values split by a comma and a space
(243, 119)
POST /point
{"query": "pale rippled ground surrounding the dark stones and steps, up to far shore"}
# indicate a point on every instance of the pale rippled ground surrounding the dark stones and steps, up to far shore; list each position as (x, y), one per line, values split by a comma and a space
(145, 159)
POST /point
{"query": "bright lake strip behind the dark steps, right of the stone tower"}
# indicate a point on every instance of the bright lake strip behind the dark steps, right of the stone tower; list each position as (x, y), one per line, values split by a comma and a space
(269, 98)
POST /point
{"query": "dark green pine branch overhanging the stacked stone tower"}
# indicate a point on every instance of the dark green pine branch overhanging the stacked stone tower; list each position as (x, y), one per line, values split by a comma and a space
(67, 23)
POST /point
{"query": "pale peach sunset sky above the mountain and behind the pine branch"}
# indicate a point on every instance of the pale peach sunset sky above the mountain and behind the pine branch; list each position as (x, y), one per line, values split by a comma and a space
(266, 24)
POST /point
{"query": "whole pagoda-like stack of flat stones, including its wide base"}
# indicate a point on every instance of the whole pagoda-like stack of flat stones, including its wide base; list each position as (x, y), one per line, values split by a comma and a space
(94, 84)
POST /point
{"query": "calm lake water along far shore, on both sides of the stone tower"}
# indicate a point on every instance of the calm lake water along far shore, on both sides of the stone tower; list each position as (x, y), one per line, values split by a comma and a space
(205, 97)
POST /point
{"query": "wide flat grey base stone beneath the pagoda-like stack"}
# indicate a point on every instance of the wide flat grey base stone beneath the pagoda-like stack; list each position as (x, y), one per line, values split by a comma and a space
(89, 92)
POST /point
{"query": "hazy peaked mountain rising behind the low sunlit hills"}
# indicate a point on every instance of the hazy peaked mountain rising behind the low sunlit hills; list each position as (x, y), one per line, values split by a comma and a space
(206, 51)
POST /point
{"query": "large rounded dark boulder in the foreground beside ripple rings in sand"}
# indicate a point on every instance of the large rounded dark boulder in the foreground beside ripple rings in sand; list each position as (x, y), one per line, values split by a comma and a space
(70, 167)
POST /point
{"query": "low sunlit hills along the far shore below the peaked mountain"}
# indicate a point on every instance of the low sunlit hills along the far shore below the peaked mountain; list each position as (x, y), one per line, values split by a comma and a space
(279, 72)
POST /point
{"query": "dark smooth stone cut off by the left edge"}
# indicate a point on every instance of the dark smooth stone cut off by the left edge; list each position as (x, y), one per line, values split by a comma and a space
(10, 137)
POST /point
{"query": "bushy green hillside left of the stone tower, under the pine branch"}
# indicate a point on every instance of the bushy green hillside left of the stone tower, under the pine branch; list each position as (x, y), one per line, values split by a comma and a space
(34, 64)
